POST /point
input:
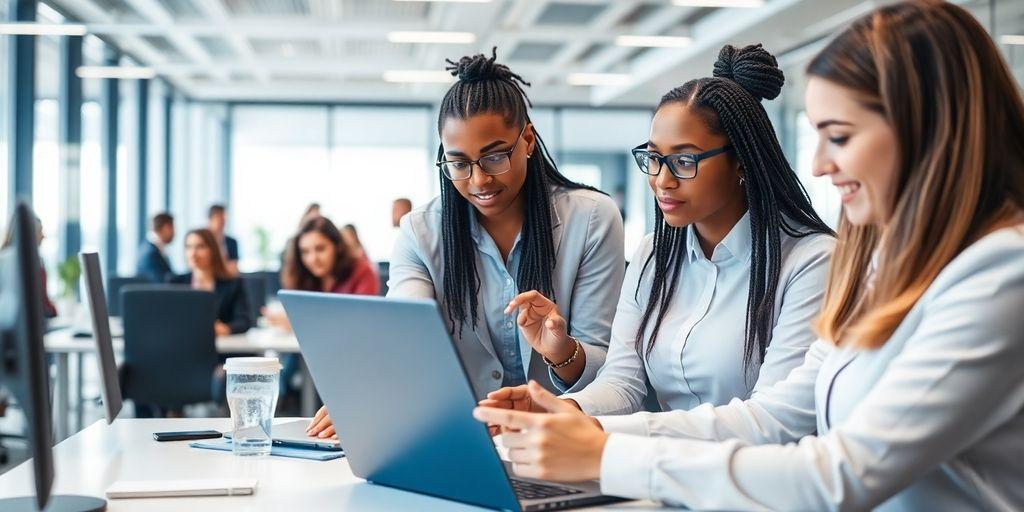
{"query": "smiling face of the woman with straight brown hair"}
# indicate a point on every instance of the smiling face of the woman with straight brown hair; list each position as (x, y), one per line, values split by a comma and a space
(857, 150)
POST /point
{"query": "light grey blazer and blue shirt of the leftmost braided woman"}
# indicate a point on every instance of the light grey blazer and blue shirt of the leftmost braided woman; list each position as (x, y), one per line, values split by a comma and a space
(587, 231)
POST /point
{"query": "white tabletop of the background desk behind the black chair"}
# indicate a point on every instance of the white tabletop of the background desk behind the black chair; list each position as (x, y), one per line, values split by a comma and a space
(255, 340)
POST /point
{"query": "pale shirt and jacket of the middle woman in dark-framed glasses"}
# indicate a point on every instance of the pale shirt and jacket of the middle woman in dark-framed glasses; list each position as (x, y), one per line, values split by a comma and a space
(699, 356)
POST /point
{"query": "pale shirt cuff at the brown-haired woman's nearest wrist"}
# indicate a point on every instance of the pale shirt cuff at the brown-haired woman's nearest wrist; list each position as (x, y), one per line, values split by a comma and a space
(626, 471)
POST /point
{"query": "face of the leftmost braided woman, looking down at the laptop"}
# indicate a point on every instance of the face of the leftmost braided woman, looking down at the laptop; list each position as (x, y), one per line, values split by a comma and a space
(481, 136)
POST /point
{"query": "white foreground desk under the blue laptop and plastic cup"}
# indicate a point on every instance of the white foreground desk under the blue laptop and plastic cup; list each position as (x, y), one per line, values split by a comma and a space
(92, 460)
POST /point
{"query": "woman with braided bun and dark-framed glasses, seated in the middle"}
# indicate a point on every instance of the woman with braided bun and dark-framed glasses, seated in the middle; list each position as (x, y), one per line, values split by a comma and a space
(719, 300)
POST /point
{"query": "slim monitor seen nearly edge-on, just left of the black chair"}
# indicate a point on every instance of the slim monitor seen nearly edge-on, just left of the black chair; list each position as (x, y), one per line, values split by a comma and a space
(111, 389)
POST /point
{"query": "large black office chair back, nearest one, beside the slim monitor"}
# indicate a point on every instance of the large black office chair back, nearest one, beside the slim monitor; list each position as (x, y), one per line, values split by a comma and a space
(170, 351)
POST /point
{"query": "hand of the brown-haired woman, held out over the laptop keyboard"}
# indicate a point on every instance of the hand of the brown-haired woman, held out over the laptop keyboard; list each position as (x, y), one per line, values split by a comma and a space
(563, 445)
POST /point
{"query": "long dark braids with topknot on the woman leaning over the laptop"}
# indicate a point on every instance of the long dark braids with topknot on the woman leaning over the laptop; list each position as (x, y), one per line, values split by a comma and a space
(488, 88)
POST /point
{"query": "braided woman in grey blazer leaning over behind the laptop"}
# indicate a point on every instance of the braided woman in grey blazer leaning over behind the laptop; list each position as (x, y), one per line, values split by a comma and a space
(507, 222)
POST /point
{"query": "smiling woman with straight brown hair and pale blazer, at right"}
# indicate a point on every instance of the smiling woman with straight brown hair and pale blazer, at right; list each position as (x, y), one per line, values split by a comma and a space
(914, 398)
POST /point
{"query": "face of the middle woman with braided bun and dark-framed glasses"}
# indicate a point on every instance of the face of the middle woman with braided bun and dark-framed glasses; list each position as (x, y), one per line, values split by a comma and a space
(676, 129)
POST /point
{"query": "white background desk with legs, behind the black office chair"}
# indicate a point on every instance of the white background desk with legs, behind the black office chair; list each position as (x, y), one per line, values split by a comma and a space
(64, 346)
